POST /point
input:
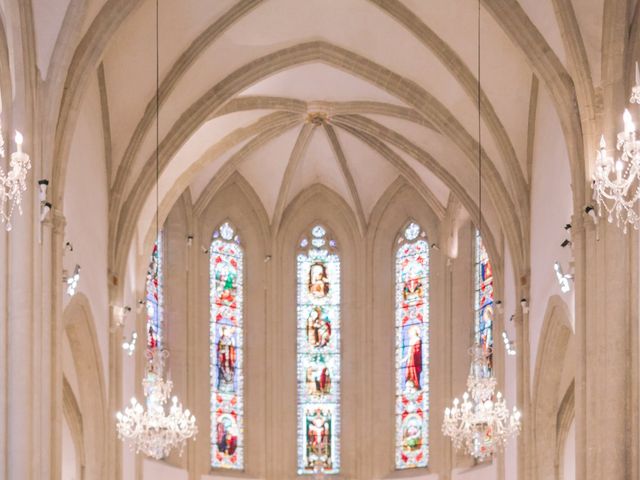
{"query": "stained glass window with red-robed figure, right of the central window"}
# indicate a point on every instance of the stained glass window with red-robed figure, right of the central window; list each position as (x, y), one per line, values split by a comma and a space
(412, 348)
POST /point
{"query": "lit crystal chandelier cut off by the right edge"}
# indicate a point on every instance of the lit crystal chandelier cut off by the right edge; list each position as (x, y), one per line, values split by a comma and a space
(616, 182)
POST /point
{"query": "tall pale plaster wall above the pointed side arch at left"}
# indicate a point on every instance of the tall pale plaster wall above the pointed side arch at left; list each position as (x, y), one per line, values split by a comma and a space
(86, 214)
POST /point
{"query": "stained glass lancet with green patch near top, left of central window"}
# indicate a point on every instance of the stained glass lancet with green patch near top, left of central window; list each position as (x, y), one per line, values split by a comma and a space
(226, 349)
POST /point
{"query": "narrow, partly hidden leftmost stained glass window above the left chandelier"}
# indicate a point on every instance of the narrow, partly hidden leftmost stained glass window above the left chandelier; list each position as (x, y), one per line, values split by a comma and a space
(153, 300)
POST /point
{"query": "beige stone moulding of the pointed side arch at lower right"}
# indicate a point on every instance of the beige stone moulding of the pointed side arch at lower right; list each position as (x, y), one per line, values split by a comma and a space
(554, 361)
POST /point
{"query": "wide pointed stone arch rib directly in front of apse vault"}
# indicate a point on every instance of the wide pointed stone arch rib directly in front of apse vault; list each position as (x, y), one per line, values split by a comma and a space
(319, 51)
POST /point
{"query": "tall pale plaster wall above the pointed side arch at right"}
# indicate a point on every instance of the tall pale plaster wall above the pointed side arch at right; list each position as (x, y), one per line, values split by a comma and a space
(551, 209)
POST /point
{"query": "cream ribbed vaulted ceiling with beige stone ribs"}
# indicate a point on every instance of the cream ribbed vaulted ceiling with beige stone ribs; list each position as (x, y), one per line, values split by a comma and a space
(348, 93)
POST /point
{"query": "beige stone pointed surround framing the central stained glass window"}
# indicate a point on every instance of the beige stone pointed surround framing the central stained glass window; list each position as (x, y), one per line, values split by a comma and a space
(316, 205)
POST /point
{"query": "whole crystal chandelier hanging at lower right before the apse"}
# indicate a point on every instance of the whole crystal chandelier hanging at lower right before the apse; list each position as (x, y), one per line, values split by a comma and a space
(482, 423)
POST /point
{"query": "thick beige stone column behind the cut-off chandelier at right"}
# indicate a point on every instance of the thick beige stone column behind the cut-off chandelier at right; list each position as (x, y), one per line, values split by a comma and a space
(606, 444)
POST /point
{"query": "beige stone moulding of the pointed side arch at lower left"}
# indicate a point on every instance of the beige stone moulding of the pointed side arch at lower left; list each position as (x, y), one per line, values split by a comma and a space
(80, 330)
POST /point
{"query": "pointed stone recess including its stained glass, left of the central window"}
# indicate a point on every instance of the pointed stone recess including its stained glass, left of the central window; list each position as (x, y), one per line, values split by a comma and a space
(237, 204)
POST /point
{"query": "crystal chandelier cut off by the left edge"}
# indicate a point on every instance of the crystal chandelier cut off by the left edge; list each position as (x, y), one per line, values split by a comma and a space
(13, 182)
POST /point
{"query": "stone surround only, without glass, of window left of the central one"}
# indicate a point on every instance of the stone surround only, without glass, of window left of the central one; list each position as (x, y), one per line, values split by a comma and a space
(237, 203)
